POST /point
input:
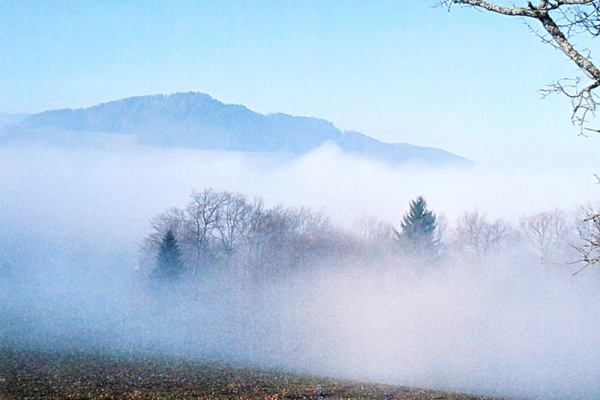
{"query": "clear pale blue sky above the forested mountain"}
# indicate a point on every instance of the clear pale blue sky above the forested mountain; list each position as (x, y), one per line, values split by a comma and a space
(400, 71)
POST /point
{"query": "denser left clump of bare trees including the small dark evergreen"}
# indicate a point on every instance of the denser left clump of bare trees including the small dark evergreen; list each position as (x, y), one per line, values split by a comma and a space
(226, 230)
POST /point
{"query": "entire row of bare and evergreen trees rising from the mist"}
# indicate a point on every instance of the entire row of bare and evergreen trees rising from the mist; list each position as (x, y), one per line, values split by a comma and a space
(226, 232)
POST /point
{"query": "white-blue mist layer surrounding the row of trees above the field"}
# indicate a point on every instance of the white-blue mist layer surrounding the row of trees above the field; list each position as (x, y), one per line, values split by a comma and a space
(73, 220)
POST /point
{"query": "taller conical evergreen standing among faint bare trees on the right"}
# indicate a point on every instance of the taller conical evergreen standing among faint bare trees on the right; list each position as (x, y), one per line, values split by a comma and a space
(418, 227)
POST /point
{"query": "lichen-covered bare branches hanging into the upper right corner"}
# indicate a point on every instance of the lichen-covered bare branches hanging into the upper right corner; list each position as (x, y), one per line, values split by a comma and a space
(562, 22)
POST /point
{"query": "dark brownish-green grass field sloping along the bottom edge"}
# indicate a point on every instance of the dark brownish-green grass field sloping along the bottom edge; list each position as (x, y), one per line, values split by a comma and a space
(47, 375)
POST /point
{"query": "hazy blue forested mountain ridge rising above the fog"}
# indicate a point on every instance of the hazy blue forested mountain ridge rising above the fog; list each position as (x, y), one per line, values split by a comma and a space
(196, 120)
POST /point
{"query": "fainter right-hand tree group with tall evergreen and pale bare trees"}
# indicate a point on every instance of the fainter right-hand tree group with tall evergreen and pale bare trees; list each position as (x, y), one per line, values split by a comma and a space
(551, 237)
